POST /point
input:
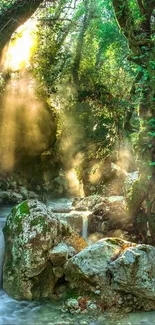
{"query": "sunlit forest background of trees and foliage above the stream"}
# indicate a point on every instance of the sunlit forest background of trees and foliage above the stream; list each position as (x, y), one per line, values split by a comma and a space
(93, 66)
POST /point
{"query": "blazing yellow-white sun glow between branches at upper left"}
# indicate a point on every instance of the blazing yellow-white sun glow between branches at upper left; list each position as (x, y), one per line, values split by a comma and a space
(19, 50)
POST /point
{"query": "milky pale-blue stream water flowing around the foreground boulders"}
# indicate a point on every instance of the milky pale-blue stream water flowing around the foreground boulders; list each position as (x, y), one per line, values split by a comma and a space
(14, 312)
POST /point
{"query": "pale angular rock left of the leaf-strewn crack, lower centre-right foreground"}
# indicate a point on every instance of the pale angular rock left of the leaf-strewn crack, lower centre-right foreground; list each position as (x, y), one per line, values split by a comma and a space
(88, 269)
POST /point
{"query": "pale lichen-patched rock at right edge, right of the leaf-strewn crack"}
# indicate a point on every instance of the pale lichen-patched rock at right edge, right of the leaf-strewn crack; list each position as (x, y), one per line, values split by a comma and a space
(134, 271)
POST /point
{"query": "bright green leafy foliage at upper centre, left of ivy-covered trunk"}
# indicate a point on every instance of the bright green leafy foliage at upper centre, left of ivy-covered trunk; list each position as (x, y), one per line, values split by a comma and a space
(95, 107)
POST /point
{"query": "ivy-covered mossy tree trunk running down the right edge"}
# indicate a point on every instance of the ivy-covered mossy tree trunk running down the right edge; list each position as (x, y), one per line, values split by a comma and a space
(137, 20)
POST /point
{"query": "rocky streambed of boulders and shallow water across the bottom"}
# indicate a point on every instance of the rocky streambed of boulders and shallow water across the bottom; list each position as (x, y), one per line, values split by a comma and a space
(79, 308)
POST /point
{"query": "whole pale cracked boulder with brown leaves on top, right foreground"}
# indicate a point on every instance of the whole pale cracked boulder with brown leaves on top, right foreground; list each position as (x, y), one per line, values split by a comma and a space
(117, 272)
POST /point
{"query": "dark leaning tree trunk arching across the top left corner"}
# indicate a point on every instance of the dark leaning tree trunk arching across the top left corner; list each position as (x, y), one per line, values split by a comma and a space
(12, 15)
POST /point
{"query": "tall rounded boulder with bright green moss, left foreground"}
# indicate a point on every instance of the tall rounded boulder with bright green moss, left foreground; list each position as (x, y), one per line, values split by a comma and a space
(35, 239)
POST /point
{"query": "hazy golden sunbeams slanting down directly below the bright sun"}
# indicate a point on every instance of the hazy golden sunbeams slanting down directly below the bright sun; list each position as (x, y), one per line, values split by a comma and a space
(23, 117)
